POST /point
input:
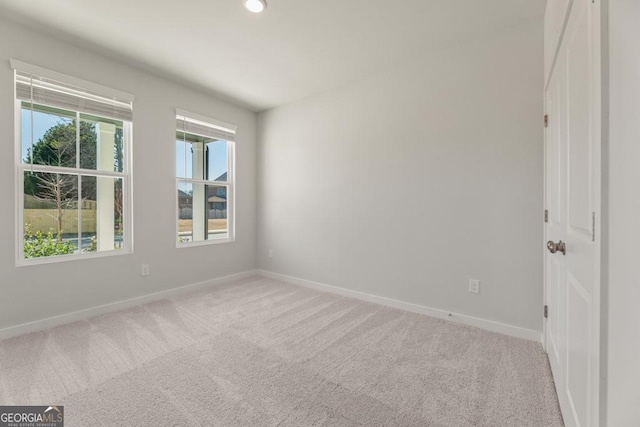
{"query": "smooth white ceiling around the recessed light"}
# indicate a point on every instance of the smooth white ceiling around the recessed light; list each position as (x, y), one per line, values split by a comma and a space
(295, 49)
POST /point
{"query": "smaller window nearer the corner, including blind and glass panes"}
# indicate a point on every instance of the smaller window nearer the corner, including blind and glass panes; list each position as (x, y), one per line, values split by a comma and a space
(204, 179)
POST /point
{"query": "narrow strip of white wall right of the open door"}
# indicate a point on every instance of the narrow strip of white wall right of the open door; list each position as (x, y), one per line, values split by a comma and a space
(624, 215)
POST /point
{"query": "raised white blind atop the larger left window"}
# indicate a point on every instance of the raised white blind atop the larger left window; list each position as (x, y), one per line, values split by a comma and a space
(41, 86)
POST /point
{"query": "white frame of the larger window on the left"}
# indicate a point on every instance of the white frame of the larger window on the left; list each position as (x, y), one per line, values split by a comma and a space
(21, 168)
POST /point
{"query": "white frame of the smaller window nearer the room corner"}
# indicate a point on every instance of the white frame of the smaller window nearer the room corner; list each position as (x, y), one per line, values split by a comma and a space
(229, 183)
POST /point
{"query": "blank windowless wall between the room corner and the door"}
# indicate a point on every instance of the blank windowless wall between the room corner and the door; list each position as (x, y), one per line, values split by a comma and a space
(410, 183)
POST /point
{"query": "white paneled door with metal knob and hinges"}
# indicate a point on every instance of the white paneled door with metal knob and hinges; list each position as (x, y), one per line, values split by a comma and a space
(572, 193)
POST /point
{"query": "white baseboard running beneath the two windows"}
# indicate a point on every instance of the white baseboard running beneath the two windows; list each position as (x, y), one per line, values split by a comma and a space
(50, 322)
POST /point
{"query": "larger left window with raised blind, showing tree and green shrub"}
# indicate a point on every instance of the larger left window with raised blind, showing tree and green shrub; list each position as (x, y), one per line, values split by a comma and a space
(72, 162)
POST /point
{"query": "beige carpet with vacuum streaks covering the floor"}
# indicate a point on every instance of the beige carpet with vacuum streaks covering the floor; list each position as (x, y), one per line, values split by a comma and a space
(258, 352)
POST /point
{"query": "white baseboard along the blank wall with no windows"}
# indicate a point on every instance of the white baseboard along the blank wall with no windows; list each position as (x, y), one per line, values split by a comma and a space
(489, 325)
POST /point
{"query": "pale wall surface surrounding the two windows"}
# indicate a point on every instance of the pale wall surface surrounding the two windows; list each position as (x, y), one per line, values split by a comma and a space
(36, 292)
